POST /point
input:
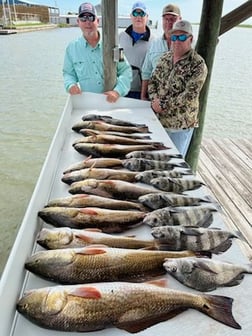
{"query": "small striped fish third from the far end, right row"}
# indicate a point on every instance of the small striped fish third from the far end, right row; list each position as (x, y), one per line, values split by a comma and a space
(148, 175)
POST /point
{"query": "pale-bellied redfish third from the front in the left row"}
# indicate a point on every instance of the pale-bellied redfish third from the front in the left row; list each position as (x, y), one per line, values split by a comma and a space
(60, 238)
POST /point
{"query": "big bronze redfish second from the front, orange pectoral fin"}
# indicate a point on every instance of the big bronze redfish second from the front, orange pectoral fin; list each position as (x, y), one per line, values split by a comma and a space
(97, 263)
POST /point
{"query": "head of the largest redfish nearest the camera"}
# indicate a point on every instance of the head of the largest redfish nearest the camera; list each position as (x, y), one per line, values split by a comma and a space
(42, 304)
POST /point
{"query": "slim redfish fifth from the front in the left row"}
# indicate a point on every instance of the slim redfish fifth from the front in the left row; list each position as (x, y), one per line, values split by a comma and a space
(88, 200)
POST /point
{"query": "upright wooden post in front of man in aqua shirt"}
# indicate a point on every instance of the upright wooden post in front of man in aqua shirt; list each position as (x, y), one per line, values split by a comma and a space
(110, 41)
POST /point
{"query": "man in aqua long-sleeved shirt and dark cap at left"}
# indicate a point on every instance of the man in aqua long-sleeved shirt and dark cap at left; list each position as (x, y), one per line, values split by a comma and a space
(83, 62)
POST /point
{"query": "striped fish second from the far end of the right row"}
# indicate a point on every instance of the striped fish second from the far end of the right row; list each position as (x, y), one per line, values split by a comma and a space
(144, 164)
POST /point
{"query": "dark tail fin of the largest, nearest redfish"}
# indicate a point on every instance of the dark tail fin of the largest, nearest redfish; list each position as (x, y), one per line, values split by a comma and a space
(220, 308)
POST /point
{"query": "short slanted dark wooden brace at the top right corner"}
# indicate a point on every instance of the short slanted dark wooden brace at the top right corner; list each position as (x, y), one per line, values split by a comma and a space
(235, 17)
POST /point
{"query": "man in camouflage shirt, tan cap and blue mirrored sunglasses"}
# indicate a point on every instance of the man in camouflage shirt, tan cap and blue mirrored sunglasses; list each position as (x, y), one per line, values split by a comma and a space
(175, 86)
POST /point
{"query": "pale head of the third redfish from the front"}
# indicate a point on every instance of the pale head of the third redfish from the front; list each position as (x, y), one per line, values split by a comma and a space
(54, 238)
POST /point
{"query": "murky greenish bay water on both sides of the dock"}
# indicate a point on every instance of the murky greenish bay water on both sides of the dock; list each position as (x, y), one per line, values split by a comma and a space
(32, 98)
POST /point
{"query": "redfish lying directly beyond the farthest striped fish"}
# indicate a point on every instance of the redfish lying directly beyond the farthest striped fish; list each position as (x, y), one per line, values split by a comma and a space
(112, 150)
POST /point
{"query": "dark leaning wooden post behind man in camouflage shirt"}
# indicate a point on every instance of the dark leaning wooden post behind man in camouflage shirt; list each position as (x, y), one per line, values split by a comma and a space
(206, 45)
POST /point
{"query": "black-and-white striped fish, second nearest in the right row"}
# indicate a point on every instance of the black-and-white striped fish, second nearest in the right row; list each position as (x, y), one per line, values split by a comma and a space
(194, 238)
